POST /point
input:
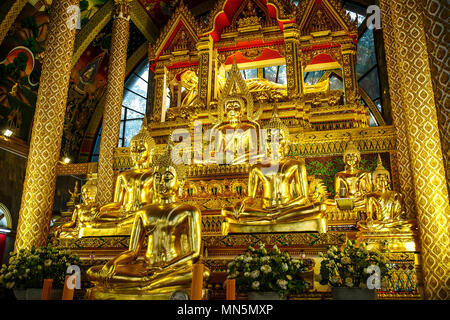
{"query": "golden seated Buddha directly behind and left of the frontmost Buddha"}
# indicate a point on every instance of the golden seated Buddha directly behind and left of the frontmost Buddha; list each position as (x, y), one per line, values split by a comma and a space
(133, 190)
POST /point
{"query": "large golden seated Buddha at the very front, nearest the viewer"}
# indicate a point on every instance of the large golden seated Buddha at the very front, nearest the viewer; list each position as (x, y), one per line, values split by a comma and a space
(172, 232)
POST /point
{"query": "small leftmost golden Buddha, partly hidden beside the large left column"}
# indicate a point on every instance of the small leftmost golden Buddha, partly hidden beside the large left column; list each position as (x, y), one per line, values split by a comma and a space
(83, 213)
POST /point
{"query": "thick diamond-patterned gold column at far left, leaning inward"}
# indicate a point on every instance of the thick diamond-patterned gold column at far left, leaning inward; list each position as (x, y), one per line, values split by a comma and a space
(40, 178)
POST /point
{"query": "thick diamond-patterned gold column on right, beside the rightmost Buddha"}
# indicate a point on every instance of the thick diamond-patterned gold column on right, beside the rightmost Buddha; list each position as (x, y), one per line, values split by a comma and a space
(405, 39)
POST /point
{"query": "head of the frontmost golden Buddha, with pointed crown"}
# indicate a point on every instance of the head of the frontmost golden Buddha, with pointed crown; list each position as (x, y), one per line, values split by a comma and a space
(168, 177)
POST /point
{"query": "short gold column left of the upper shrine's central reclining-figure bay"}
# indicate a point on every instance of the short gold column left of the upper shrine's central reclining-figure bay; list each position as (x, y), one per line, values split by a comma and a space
(204, 47)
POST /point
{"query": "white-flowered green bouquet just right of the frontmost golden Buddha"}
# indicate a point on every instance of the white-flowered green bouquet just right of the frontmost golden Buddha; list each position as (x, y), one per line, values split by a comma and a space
(262, 270)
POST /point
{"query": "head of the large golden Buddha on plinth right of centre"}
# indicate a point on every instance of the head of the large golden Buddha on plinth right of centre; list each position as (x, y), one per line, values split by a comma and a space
(277, 135)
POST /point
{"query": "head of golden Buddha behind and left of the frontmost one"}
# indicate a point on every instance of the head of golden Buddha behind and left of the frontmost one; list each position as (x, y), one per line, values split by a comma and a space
(142, 147)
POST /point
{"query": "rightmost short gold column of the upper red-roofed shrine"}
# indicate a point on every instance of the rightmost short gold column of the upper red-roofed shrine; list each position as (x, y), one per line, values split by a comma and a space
(349, 73)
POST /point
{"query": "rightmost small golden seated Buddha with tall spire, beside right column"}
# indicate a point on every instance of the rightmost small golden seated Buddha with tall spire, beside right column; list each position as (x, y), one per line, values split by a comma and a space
(383, 206)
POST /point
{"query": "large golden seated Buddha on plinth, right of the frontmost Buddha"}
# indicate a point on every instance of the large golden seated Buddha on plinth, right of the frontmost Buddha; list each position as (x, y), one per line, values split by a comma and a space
(286, 204)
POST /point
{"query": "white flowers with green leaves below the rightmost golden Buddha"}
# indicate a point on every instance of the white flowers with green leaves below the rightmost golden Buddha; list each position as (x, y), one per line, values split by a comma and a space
(348, 267)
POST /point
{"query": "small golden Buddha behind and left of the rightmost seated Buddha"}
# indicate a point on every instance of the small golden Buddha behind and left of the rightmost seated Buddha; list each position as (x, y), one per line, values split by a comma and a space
(352, 184)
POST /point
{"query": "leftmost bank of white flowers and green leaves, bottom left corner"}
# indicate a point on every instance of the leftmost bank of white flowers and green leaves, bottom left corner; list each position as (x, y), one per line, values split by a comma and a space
(29, 268)
